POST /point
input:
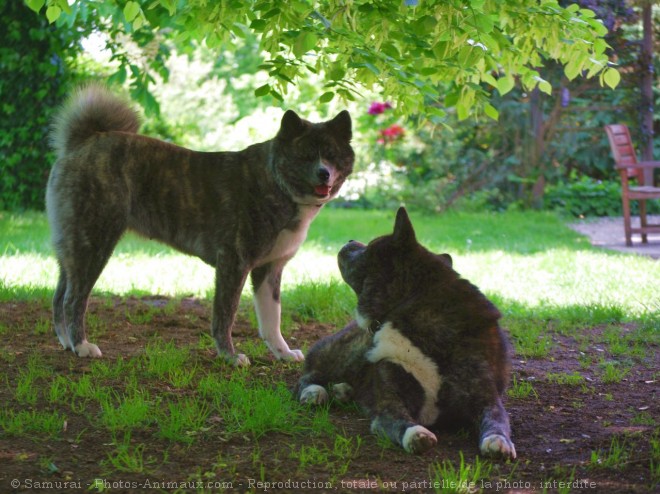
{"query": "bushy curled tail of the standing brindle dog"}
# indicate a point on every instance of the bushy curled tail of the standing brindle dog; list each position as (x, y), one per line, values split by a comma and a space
(89, 110)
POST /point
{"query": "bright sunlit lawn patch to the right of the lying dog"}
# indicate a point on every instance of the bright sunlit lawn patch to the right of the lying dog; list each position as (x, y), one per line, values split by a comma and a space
(566, 278)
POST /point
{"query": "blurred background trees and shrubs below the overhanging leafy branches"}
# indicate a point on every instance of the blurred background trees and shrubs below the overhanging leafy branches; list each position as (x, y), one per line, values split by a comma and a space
(544, 151)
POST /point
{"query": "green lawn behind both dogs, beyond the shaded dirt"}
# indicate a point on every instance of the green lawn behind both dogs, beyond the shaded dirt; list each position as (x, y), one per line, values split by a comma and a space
(527, 259)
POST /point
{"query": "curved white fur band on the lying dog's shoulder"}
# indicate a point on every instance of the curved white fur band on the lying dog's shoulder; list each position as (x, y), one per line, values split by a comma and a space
(391, 345)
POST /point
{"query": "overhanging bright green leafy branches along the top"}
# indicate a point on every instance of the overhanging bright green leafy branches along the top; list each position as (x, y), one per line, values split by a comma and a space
(409, 49)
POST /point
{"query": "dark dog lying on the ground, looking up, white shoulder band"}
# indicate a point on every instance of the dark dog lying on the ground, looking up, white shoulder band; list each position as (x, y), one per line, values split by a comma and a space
(426, 349)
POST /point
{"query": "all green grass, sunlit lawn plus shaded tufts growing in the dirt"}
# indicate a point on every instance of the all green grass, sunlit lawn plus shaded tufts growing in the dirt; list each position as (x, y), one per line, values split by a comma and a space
(545, 279)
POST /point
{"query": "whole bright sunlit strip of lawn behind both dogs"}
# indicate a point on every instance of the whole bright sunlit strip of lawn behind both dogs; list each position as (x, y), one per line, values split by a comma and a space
(555, 277)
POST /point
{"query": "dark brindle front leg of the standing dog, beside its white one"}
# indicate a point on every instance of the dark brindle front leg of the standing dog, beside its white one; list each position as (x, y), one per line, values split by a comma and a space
(230, 276)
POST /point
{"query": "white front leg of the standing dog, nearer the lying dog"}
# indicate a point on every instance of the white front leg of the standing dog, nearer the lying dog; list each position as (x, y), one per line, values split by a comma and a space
(266, 284)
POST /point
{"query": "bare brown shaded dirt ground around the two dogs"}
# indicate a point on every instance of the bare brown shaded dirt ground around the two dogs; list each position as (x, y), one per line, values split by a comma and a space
(557, 428)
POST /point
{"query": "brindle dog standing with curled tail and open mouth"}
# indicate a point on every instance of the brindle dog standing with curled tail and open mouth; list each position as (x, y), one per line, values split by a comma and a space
(244, 212)
